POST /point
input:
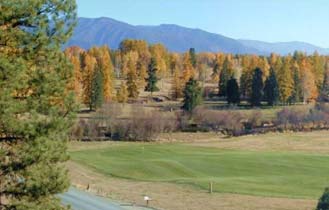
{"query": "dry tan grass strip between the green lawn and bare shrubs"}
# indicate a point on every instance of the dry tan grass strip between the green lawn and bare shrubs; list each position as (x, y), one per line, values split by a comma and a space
(313, 142)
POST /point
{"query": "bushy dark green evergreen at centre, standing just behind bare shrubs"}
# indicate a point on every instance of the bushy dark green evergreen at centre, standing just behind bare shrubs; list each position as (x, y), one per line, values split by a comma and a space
(192, 95)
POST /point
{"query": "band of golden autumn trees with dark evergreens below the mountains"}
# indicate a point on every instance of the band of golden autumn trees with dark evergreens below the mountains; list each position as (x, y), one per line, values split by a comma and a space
(297, 78)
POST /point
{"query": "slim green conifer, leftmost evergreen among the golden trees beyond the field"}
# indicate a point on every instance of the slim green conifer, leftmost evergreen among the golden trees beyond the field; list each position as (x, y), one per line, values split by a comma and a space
(97, 93)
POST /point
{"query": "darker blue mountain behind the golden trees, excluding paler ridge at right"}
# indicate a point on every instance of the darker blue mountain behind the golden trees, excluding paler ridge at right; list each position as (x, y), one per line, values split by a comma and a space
(107, 31)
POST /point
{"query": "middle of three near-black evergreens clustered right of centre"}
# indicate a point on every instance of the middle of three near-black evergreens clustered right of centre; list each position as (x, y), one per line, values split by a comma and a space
(257, 87)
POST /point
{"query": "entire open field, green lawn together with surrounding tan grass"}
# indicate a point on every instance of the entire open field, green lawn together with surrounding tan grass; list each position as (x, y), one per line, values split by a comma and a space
(295, 172)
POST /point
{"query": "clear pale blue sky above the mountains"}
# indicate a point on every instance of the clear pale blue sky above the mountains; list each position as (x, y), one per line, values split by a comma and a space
(264, 20)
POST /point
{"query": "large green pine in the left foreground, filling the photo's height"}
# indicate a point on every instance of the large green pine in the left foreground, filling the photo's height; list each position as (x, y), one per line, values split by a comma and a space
(36, 109)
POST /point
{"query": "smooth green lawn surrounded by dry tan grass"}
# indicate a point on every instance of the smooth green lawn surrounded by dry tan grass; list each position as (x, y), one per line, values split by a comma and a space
(281, 174)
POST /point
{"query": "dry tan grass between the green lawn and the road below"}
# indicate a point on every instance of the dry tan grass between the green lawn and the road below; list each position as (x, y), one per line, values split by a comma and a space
(172, 197)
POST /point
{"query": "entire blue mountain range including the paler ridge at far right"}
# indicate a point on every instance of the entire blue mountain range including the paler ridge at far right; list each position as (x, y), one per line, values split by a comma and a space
(107, 31)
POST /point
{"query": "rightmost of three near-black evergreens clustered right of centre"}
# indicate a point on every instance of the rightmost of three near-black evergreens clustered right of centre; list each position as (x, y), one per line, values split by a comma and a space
(271, 89)
